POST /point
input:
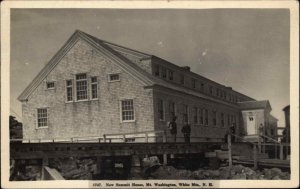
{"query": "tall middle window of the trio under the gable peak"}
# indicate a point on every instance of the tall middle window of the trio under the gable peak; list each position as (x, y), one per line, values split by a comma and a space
(81, 87)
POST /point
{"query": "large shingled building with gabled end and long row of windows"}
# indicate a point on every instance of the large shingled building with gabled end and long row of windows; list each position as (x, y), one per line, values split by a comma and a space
(92, 87)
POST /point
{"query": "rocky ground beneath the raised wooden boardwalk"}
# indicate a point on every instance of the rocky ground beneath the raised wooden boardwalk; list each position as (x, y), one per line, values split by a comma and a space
(85, 169)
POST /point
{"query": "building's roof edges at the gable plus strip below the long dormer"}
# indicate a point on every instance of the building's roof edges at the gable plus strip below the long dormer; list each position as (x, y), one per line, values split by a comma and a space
(115, 53)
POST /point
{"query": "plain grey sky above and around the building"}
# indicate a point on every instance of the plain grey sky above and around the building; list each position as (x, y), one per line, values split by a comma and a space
(247, 49)
